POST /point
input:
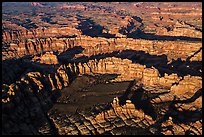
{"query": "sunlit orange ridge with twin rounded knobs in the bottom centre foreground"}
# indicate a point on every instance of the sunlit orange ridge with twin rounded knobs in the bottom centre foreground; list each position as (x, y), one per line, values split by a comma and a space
(111, 121)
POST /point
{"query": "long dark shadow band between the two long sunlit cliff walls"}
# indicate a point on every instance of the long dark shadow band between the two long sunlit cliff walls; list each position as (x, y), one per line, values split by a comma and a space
(160, 62)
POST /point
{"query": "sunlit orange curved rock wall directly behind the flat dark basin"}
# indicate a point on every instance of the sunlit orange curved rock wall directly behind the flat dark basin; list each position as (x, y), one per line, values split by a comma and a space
(128, 71)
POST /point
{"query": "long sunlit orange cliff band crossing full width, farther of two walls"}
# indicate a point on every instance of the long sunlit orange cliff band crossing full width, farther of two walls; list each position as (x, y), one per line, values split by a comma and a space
(94, 46)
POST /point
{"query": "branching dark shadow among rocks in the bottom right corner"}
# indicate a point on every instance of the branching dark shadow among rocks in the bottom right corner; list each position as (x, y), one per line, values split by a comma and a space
(178, 116)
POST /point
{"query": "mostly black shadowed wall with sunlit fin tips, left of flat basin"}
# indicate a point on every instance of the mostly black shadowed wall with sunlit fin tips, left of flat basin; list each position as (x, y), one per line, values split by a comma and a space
(26, 102)
